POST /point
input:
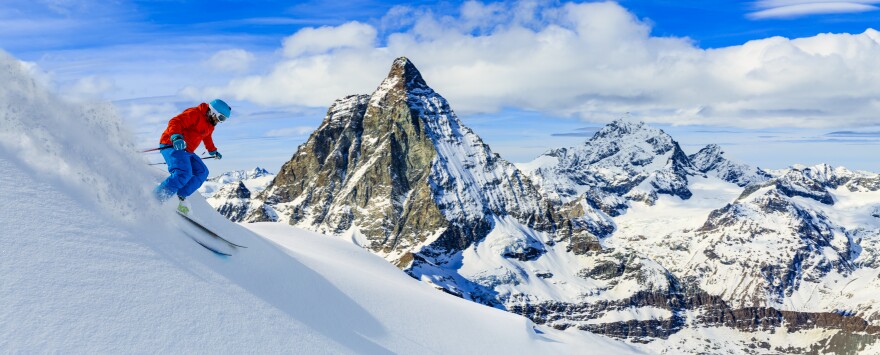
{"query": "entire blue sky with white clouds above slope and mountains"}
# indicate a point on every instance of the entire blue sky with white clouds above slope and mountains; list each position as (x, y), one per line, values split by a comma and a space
(154, 58)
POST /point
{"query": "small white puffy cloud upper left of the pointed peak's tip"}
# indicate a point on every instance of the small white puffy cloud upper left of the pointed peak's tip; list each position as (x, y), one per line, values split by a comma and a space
(323, 39)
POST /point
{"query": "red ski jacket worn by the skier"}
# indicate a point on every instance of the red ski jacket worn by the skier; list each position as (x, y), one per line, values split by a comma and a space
(194, 125)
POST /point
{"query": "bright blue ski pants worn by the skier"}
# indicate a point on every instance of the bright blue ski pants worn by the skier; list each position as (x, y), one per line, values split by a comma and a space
(188, 172)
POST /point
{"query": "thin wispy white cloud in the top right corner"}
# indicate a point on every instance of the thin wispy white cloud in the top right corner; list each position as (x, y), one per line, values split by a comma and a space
(785, 9)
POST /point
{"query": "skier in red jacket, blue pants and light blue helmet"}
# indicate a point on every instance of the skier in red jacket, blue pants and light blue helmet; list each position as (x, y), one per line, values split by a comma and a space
(178, 144)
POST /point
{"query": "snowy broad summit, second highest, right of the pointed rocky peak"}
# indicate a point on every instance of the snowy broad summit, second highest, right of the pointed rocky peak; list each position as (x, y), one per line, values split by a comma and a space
(624, 161)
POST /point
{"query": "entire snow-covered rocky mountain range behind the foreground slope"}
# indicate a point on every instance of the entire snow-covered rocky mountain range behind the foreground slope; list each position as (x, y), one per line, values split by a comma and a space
(625, 235)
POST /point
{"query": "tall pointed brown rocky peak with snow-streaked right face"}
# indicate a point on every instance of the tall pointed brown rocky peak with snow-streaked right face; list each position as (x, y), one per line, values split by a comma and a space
(398, 171)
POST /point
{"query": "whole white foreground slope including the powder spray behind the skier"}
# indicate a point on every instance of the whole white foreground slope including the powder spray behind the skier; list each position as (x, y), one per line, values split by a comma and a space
(90, 264)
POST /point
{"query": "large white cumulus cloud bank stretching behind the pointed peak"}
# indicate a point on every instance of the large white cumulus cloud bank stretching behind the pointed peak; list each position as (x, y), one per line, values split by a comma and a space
(595, 61)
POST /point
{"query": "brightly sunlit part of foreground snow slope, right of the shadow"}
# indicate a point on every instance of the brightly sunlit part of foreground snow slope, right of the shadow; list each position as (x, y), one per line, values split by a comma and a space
(434, 314)
